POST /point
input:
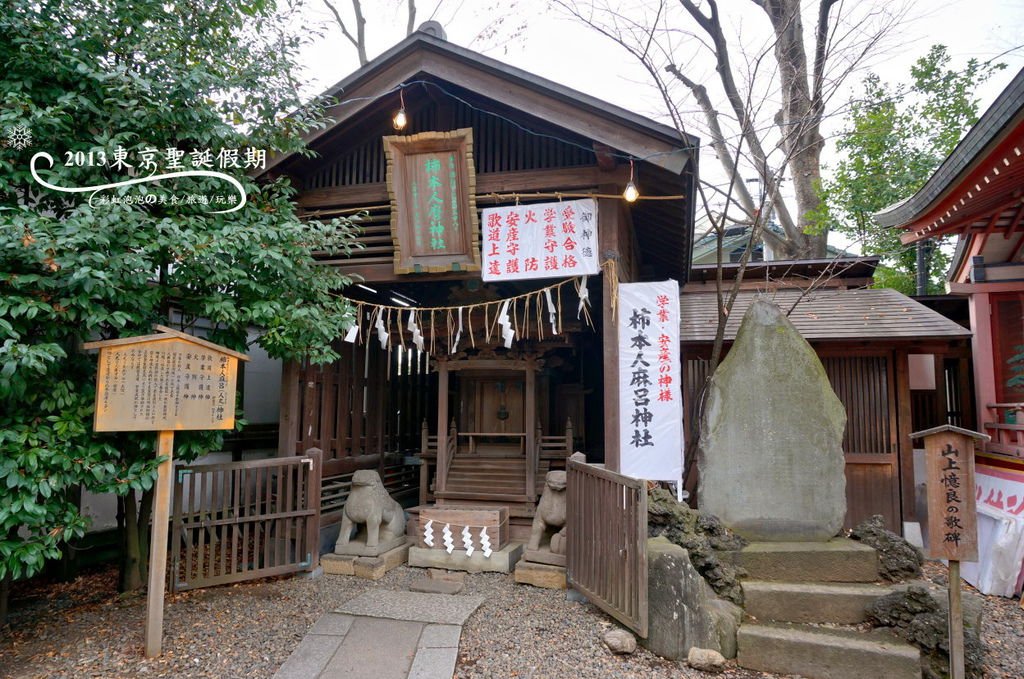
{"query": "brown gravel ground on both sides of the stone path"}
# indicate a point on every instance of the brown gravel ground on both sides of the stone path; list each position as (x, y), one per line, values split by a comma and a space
(86, 629)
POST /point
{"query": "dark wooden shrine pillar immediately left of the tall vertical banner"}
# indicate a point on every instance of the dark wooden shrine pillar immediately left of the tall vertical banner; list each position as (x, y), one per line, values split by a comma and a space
(608, 220)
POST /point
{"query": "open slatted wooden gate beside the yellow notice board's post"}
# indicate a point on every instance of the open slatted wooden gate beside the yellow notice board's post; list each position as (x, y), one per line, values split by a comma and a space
(243, 521)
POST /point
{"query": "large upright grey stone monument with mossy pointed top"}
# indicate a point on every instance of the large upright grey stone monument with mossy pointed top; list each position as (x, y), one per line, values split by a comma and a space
(772, 465)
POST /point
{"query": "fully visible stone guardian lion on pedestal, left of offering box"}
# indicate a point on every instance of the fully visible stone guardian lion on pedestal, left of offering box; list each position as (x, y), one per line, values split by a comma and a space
(379, 543)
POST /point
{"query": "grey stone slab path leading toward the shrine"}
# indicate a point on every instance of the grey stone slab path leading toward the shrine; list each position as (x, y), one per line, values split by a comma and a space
(385, 635)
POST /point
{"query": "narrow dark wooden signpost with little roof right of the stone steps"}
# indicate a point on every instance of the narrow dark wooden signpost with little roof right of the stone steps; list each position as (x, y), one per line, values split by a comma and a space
(953, 521)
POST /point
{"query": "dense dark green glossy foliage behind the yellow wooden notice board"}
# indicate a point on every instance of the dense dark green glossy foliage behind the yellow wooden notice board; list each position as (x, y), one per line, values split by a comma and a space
(95, 76)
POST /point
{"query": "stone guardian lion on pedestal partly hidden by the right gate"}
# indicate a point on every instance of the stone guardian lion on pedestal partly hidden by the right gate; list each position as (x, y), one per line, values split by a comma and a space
(544, 561)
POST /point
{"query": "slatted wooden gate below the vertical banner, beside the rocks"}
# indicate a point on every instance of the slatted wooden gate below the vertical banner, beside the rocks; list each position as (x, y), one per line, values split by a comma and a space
(607, 518)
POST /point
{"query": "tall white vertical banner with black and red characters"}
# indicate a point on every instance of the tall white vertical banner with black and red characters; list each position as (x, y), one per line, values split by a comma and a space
(651, 404)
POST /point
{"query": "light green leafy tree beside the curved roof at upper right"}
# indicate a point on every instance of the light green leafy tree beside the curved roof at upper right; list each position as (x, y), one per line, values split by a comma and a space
(895, 139)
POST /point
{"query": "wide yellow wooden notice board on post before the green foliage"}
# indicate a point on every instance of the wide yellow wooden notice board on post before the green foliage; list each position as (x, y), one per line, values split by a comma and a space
(166, 383)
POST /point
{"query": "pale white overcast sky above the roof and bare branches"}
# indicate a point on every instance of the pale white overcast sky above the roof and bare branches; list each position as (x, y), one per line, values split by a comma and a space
(547, 43)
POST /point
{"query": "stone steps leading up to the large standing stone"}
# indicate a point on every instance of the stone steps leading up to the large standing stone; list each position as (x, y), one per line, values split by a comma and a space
(801, 603)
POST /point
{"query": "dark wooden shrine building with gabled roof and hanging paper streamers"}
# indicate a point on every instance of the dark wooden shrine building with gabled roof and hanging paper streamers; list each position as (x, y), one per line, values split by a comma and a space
(489, 376)
